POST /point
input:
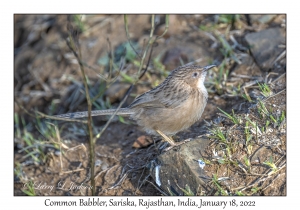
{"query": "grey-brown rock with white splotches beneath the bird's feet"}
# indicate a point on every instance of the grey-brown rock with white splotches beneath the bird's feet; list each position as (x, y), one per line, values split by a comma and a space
(179, 168)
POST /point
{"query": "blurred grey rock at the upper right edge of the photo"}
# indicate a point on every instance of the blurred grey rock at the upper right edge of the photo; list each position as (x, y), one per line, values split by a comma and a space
(264, 46)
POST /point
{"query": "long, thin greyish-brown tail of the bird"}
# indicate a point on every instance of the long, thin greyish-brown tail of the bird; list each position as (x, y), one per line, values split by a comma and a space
(122, 111)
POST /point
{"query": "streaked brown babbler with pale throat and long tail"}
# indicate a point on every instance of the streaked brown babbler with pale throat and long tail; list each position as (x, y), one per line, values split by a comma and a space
(172, 106)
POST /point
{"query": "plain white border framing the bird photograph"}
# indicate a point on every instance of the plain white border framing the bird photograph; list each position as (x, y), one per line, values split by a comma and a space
(183, 7)
